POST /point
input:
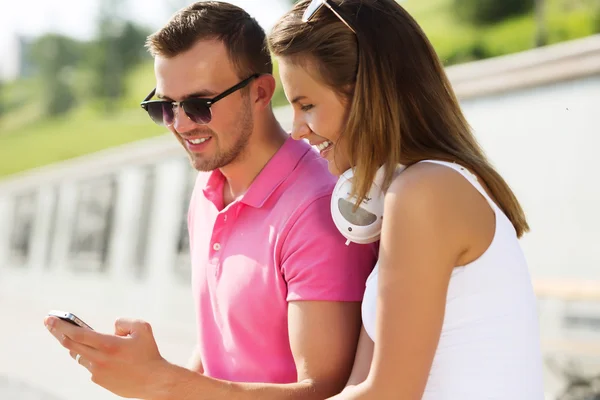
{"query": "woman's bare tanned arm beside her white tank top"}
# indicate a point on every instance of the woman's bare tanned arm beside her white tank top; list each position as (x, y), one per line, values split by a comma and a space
(421, 242)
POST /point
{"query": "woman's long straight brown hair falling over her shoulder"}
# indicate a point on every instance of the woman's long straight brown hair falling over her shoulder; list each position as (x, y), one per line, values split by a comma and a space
(402, 106)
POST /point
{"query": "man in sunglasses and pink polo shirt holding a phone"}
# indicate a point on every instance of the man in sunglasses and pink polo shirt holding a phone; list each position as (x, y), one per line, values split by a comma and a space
(277, 291)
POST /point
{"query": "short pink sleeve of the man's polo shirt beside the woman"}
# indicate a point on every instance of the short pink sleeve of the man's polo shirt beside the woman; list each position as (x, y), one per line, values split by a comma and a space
(316, 262)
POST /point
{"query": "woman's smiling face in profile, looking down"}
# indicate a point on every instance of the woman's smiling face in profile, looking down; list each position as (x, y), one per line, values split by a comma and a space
(319, 113)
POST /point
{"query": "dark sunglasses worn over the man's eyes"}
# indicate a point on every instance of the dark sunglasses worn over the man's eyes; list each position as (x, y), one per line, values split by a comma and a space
(197, 109)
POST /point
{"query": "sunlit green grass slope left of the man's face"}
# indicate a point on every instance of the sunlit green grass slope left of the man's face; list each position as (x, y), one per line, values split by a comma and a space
(27, 141)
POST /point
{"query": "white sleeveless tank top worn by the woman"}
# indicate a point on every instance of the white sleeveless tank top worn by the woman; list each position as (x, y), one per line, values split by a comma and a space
(489, 346)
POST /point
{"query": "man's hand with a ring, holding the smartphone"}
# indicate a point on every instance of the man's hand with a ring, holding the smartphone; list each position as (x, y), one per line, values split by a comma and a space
(127, 363)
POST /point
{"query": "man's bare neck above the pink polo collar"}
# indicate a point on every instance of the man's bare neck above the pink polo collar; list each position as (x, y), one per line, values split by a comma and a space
(266, 139)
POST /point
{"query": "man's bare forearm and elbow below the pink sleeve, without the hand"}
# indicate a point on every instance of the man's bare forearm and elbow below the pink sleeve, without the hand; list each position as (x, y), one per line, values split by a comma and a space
(323, 338)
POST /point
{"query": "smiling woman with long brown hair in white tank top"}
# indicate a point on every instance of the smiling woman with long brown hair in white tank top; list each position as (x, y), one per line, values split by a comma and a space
(449, 311)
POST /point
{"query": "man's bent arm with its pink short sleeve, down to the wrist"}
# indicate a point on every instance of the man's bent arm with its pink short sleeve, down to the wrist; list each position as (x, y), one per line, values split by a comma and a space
(322, 334)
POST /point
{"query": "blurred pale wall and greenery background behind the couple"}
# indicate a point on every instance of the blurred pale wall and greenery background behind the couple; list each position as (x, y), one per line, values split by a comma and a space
(93, 195)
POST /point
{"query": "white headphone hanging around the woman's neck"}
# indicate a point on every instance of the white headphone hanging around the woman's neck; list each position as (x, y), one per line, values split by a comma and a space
(364, 225)
